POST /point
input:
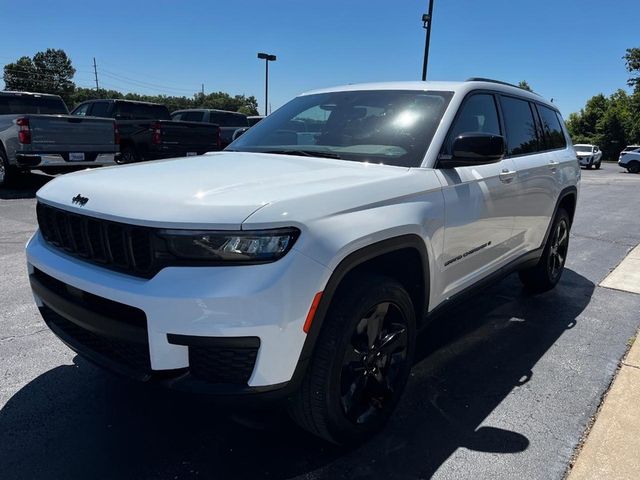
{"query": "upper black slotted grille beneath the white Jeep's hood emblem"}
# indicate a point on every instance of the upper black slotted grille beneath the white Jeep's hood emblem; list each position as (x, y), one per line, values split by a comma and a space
(114, 245)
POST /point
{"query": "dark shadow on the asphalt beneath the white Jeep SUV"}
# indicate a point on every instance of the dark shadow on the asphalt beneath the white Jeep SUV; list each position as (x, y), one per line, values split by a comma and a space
(77, 422)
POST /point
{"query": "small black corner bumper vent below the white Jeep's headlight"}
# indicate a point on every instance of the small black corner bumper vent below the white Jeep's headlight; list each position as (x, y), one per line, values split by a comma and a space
(230, 365)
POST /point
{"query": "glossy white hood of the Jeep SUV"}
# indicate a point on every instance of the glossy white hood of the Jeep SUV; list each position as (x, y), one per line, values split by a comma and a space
(217, 190)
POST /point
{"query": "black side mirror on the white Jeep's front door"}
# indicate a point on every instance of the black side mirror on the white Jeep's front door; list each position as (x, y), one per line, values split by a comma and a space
(470, 149)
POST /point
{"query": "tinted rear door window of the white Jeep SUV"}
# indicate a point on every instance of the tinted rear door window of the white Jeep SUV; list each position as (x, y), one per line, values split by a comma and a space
(520, 125)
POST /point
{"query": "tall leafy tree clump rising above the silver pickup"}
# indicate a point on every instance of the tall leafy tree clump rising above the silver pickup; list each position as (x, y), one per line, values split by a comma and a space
(47, 72)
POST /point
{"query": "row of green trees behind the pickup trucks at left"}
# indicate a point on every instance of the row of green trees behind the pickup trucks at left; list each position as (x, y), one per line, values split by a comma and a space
(51, 72)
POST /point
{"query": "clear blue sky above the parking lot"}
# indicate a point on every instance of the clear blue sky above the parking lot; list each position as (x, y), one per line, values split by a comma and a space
(566, 49)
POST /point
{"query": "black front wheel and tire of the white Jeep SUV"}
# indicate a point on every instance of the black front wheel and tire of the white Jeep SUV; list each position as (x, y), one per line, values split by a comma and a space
(350, 388)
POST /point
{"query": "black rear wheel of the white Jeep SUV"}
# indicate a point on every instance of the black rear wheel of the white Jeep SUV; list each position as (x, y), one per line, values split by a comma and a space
(546, 274)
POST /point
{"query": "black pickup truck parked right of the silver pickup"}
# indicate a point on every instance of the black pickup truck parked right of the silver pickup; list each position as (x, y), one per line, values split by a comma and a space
(148, 133)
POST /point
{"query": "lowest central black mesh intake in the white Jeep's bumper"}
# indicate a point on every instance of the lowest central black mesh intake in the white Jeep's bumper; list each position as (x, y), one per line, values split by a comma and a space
(131, 355)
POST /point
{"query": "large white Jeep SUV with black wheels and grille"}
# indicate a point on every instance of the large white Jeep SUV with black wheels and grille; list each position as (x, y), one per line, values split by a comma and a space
(299, 263)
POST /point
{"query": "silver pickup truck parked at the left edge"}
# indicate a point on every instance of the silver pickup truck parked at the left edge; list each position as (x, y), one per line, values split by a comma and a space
(37, 132)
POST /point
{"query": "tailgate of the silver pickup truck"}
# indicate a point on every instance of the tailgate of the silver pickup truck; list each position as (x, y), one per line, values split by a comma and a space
(56, 132)
